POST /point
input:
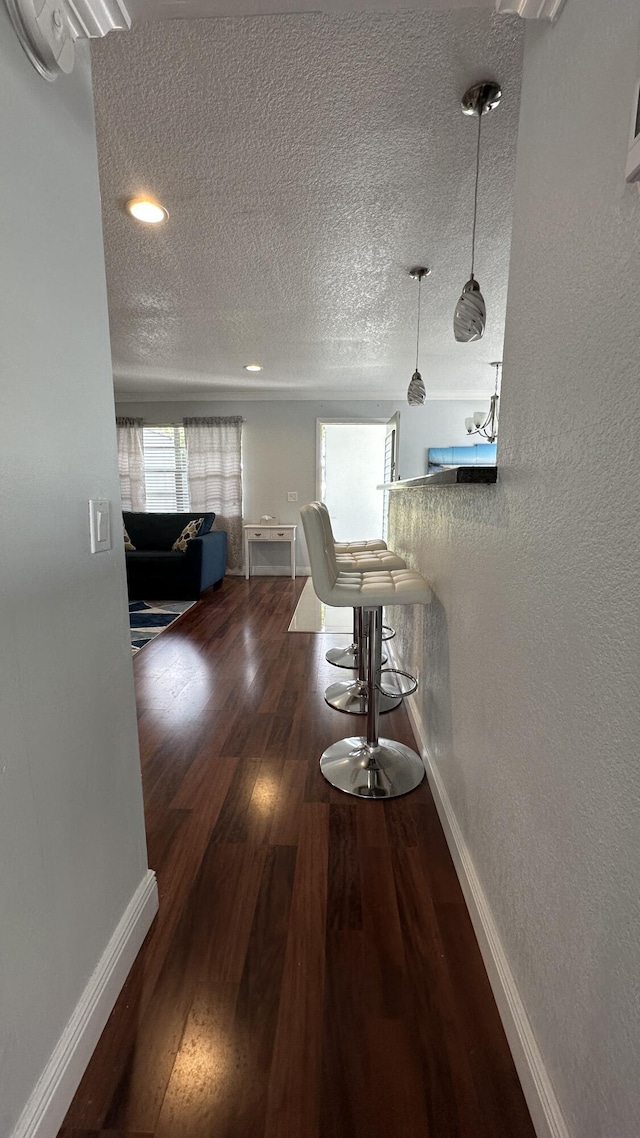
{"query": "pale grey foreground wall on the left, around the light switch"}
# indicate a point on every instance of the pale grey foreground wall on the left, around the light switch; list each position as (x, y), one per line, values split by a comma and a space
(72, 840)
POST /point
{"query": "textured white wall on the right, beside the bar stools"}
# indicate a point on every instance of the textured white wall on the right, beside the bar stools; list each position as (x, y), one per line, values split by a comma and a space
(530, 656)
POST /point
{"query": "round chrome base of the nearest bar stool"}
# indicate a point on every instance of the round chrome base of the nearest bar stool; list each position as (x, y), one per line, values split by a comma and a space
(387, 770)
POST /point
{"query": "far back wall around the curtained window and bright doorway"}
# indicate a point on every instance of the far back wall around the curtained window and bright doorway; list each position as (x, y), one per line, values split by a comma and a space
(280, 449)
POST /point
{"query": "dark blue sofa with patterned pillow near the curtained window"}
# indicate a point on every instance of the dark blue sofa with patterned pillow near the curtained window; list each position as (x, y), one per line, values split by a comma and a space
(154, 571)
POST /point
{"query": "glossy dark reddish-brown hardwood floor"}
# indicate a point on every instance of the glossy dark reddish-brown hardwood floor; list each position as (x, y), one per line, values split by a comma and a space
(313, 972)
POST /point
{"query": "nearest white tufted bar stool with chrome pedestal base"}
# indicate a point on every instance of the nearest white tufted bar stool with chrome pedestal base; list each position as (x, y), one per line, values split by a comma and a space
(366, 766)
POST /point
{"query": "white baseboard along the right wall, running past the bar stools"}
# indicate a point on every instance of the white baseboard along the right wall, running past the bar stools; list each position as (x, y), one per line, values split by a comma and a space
(546, 1114)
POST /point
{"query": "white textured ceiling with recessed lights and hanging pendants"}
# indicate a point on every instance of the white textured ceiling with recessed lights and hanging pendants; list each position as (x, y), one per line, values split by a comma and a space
(307, 162)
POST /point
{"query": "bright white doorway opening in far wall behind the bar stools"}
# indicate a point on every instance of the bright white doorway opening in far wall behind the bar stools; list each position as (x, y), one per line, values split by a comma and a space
(351, 465)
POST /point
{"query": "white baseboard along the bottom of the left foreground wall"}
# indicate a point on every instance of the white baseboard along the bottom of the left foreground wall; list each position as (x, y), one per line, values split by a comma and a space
(54, 1092)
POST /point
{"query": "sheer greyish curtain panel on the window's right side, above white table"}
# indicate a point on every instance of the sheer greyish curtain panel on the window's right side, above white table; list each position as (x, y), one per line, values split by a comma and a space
(215, 469)
